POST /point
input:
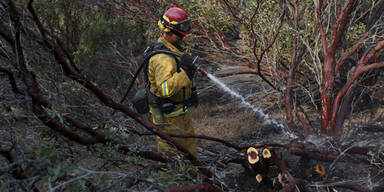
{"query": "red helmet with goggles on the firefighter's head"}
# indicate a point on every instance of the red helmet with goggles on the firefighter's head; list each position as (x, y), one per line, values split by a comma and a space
(175, 19)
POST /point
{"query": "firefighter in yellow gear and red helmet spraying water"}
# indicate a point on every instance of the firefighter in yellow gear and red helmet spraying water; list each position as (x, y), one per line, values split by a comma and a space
(171, 81)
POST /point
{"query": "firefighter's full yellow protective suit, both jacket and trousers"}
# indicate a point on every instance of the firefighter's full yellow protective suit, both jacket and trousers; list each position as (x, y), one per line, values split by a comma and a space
(166, 82)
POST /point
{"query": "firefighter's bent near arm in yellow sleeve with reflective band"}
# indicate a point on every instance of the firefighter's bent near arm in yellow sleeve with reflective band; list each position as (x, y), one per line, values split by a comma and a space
(168, 80)
